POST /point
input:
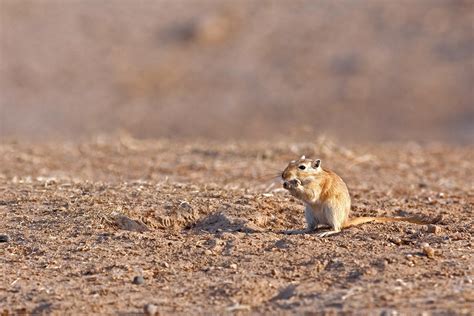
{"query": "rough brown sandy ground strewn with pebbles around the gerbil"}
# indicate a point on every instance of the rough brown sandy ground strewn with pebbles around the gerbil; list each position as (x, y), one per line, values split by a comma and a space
(206, 230)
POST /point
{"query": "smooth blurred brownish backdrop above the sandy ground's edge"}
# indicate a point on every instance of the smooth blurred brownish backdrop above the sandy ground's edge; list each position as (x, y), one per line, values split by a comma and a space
(353, 70)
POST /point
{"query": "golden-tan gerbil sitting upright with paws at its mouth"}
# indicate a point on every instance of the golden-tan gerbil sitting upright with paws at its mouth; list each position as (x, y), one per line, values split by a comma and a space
(327, 198)
